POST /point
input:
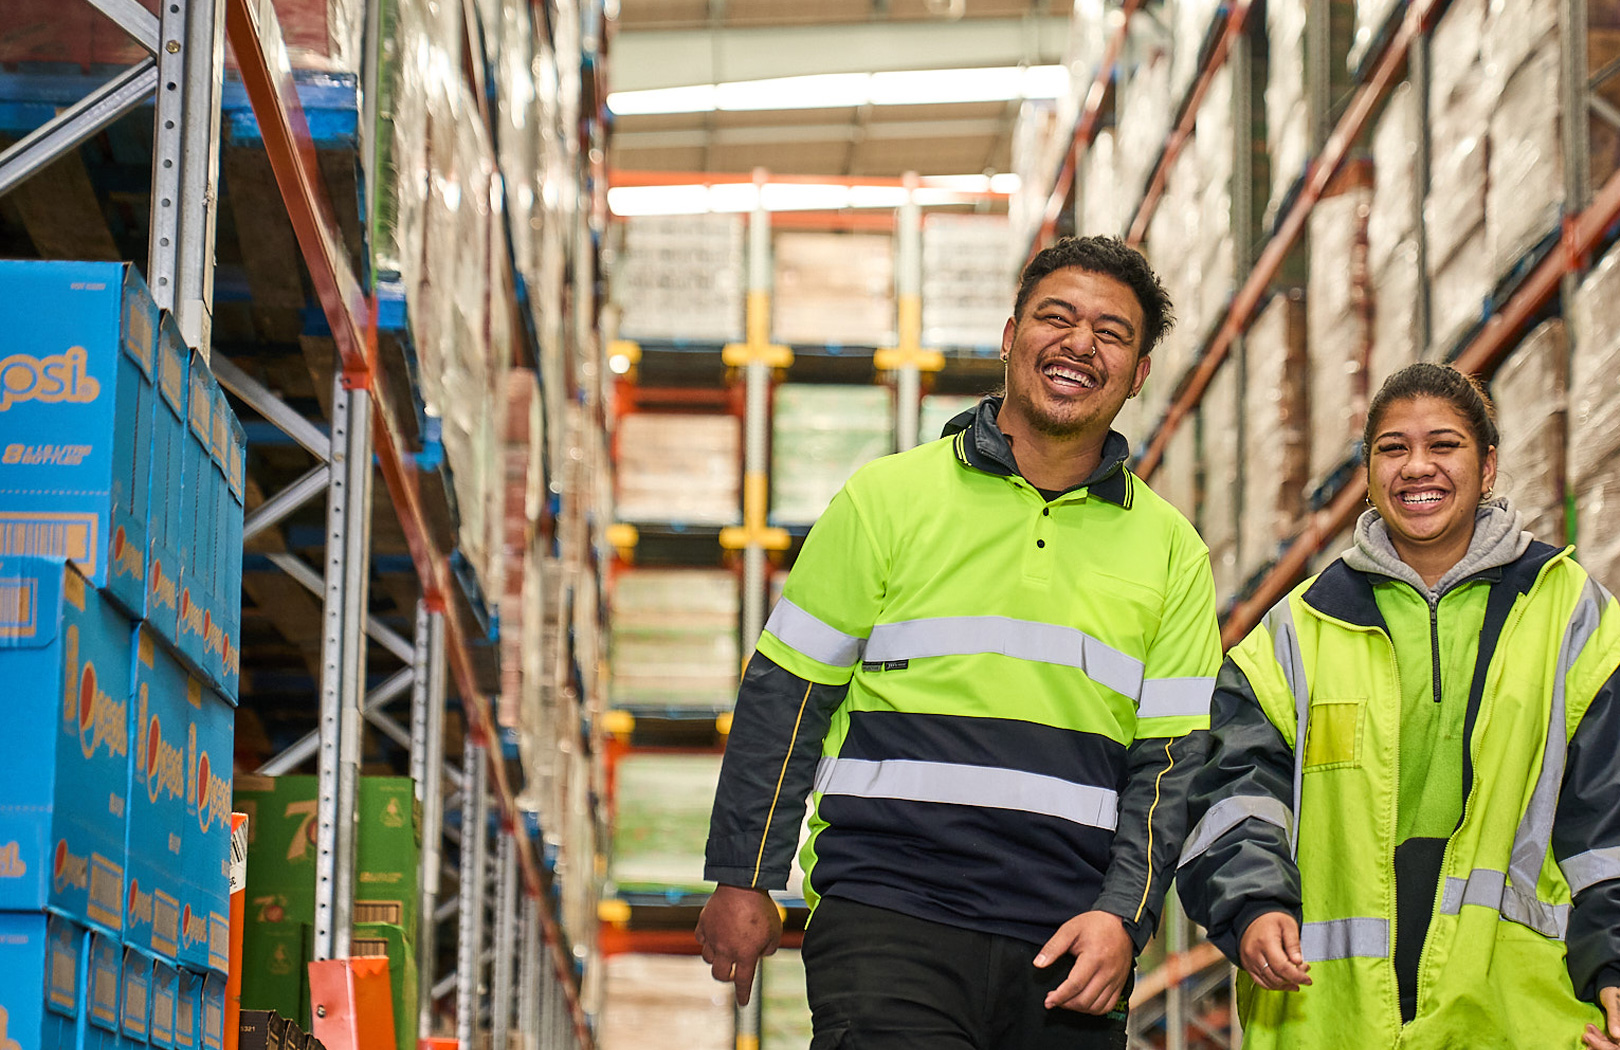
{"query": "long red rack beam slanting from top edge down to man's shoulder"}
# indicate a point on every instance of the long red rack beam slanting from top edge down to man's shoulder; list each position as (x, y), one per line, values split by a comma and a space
(1420, 19)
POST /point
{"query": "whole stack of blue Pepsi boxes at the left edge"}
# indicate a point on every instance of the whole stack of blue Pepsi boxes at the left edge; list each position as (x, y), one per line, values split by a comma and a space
(121, 571)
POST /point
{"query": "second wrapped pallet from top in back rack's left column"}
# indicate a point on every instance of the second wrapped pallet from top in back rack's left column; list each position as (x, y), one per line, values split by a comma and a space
(681, 469)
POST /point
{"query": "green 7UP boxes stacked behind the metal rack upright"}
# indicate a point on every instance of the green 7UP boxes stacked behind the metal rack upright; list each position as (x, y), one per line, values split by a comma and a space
(281, 892)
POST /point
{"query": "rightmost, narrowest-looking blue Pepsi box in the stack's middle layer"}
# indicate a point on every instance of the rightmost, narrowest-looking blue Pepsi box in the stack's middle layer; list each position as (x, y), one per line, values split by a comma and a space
(205, 942)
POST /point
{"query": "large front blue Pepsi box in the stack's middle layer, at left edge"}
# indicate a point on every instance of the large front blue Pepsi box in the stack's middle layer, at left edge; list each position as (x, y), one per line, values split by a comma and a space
(66, 655)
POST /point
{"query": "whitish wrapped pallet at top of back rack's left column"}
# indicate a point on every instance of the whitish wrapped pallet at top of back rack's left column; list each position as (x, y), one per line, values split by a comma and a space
(681, 278)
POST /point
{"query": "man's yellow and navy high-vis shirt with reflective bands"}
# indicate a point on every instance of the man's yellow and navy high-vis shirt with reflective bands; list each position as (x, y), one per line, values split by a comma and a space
(995, 701)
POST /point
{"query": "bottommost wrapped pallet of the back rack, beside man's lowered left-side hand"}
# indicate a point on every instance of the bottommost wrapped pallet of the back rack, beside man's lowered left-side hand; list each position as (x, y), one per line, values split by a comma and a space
(654, 1001)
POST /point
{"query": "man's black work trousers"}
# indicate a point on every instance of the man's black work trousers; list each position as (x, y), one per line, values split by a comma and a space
(882, 981)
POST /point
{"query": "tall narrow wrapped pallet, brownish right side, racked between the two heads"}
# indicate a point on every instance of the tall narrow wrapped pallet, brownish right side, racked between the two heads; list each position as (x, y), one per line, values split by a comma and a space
(1276, 432)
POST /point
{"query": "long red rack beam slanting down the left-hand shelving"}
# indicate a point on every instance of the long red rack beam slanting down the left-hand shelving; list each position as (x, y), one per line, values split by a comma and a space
(257, 41)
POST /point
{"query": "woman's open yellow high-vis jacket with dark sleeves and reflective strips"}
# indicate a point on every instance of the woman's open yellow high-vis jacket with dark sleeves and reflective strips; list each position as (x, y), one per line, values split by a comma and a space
(1297, 811)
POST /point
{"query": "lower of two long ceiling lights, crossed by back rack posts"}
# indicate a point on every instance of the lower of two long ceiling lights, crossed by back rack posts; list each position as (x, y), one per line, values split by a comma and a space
(799, 197)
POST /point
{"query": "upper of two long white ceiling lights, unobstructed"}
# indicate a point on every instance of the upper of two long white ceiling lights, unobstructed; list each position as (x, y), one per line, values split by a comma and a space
(850, 90)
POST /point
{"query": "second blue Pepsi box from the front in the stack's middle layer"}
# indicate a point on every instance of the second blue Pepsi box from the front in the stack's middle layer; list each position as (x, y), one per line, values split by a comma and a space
(158, 798)
